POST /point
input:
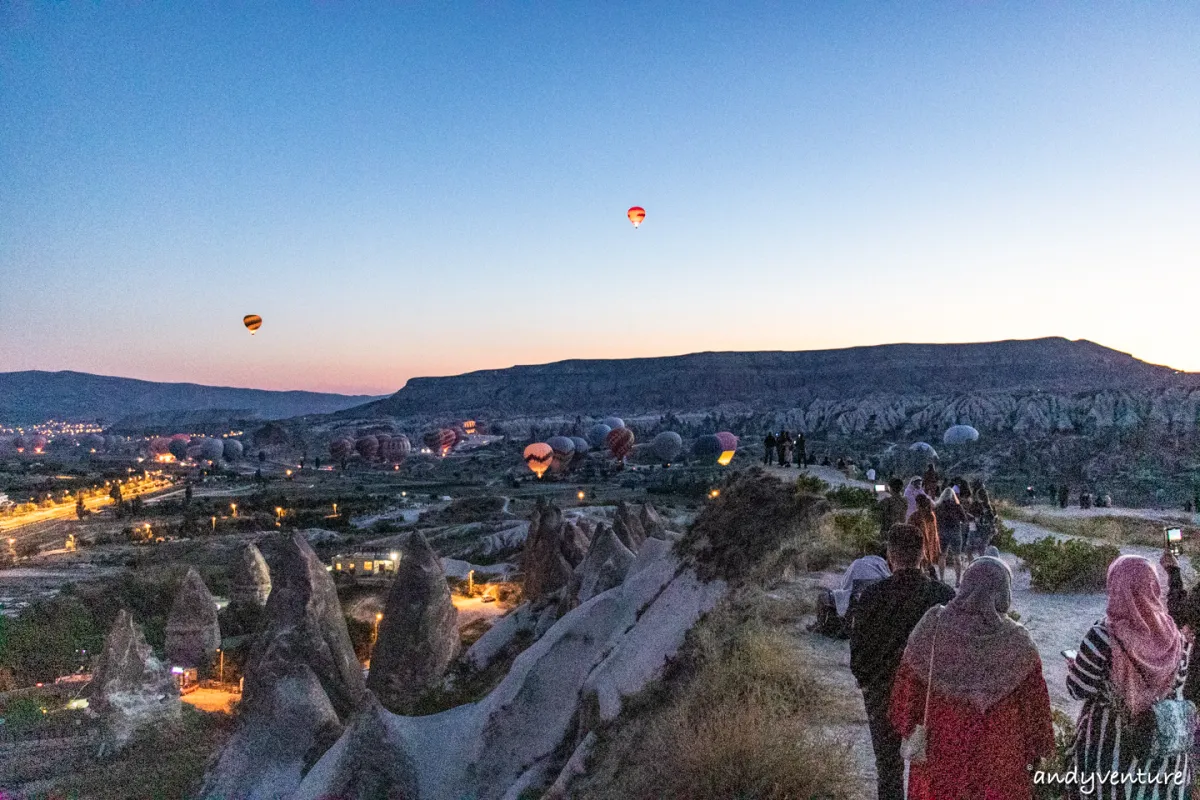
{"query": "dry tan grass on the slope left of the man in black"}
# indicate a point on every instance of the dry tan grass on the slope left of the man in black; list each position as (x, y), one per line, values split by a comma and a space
(740, 717)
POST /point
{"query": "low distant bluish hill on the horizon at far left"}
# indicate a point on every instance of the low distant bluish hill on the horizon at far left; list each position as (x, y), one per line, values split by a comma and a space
(35, 396)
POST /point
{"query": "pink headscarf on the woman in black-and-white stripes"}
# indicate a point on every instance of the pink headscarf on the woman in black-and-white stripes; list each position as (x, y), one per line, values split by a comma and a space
(1147, 643)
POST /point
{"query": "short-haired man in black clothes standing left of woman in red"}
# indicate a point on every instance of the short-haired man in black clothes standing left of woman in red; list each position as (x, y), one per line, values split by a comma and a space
(886, 615)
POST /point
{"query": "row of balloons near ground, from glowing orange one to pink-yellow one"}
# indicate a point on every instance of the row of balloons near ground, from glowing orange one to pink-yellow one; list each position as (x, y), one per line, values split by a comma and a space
(561, 454)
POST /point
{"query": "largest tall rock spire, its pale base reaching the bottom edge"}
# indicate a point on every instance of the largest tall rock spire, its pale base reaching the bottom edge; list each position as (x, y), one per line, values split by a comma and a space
(303, 684)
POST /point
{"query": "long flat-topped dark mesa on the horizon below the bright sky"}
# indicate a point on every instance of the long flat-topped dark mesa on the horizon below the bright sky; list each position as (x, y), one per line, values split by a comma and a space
(776, 381)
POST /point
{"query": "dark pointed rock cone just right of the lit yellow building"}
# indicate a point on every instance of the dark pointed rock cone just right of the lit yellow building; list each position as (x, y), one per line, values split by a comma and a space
(419, 633)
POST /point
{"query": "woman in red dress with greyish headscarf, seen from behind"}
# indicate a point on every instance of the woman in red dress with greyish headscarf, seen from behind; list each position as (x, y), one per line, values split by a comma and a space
(988, 718)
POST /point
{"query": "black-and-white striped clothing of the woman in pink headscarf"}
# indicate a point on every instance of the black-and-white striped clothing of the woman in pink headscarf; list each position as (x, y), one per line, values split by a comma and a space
(1097, 749)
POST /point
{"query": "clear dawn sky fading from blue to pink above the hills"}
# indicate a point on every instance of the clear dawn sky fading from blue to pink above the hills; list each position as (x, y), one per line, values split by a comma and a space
(417, 189)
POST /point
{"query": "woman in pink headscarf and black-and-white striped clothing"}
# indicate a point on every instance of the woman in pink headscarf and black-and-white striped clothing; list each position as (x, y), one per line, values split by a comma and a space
(1127, 663)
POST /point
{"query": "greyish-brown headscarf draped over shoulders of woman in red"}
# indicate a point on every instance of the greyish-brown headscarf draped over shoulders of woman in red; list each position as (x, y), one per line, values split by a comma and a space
(982, 655)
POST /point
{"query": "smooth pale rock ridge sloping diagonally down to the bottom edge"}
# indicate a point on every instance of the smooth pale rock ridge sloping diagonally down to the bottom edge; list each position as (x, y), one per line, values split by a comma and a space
(519, 737)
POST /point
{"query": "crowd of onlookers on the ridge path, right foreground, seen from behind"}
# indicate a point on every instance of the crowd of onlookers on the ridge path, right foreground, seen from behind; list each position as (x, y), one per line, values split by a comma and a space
(955, 687)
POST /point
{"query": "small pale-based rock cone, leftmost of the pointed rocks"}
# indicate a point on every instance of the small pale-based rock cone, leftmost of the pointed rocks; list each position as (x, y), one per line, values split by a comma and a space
(130, 688)
